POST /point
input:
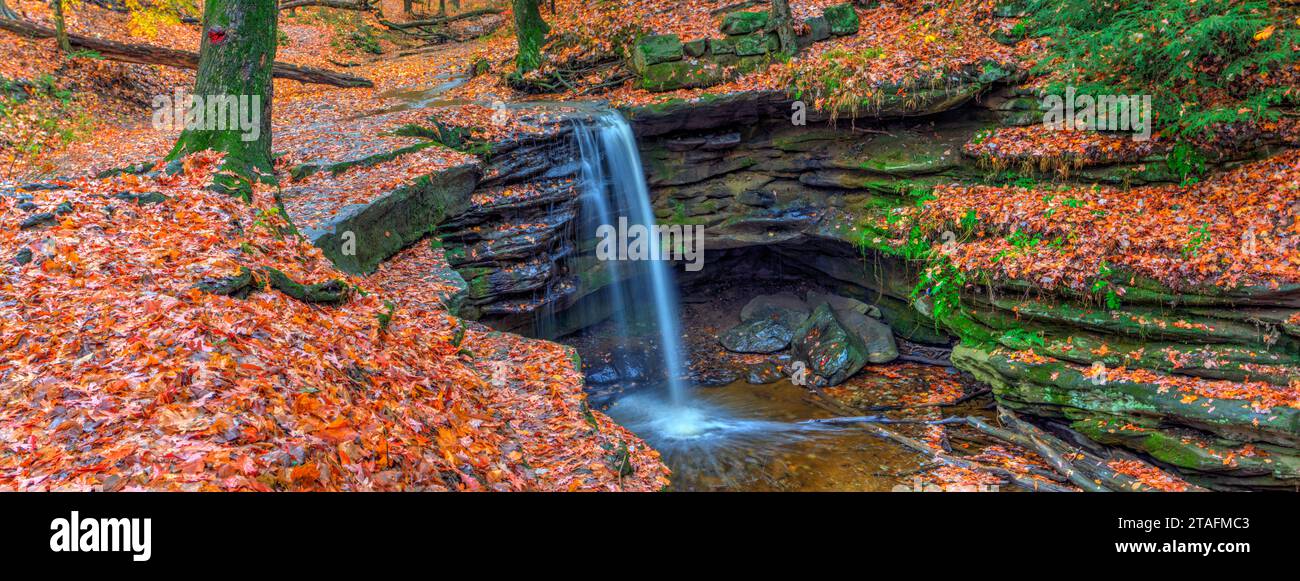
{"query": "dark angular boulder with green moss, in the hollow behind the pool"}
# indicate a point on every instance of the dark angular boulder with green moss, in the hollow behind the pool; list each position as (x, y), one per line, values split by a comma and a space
(831, 353)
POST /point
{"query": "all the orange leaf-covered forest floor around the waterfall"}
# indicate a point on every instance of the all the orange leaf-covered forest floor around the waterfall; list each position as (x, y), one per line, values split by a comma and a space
(119, 375)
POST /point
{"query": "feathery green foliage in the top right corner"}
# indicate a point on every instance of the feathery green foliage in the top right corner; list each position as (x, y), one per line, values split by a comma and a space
(1201, 62)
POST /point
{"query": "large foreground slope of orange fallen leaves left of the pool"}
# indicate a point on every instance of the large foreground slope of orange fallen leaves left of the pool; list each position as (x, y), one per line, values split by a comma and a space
(120, 375)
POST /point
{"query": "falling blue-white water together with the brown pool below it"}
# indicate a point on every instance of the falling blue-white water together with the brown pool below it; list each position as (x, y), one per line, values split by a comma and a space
(718, 439)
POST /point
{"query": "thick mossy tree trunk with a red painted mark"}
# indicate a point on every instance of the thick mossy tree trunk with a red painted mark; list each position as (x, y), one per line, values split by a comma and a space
(235, 62)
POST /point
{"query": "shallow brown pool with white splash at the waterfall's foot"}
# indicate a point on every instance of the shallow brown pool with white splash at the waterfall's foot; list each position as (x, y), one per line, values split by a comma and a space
(751, 439)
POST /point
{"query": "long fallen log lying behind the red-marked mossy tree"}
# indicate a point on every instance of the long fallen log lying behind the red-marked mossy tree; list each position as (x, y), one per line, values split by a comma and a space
(150, 55)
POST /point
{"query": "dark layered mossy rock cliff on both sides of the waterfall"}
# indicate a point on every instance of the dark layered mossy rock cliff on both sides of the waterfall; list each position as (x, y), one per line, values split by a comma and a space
(807, 196)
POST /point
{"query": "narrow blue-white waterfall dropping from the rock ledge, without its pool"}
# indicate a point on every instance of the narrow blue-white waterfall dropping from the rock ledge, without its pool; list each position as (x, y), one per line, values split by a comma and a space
(616, 188)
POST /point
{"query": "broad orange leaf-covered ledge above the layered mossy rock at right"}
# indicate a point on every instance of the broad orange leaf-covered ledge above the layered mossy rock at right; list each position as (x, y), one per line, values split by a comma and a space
(1241, 228)
